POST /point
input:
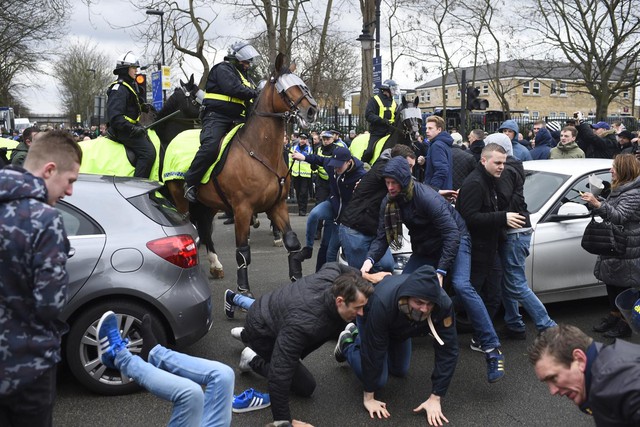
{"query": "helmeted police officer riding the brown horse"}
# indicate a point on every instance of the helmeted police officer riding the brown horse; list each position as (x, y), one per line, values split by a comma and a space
(228, 93)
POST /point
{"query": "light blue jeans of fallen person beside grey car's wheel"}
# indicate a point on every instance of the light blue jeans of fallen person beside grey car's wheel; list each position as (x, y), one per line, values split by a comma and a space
(179, 378)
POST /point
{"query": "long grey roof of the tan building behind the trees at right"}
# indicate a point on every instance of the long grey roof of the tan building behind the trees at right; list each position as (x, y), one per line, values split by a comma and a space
(517, 68)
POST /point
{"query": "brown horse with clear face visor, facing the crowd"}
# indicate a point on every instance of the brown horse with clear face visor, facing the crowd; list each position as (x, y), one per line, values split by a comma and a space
(255, 177)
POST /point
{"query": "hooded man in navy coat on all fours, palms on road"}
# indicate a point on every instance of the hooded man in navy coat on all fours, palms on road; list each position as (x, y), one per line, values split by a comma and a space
(402, 307)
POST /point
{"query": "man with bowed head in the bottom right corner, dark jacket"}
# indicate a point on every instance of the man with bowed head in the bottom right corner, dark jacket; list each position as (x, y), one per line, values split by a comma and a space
(603, 380)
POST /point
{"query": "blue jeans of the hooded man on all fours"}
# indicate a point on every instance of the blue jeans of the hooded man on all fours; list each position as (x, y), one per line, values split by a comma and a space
(397, 360)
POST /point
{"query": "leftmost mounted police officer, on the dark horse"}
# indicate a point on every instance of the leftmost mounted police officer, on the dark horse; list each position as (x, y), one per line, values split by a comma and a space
(124, 108)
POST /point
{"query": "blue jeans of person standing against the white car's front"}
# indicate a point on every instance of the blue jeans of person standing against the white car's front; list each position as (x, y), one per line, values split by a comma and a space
(515, 289)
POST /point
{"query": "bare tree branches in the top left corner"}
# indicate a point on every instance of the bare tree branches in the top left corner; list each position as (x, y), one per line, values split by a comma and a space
(26, 27)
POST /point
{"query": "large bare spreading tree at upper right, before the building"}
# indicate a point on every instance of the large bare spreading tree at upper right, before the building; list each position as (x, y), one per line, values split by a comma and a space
(599, 38)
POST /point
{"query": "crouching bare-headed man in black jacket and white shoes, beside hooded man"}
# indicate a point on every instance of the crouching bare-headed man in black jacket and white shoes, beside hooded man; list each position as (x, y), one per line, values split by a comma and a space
(286, 325)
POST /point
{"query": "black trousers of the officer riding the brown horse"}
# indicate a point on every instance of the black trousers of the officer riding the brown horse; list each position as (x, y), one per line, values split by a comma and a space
(214, 127)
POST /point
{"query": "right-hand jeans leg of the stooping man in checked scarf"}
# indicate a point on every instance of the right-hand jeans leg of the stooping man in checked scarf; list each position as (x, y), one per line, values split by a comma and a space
(476, 311)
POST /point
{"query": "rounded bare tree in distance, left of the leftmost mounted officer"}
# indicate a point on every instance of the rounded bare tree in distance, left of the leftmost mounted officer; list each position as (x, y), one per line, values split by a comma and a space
(82, 72)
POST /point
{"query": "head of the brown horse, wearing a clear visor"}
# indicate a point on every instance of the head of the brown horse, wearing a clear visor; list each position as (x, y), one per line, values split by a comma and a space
(295, 97)
